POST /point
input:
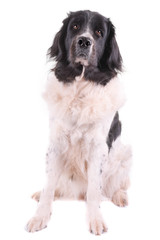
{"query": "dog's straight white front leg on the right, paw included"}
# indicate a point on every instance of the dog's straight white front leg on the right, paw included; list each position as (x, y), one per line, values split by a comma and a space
(96, 223)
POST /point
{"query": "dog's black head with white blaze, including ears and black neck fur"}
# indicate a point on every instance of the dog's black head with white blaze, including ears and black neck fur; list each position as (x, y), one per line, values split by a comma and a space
(86, 39)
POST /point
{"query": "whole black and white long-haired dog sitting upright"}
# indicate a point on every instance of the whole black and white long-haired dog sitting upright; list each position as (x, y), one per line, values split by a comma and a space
(85, 159)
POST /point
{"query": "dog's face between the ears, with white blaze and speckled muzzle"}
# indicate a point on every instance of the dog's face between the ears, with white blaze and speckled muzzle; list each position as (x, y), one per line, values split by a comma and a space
(85, 38)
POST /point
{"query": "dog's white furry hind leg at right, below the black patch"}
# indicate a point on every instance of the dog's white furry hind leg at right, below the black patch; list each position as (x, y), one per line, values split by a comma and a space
(115, 176)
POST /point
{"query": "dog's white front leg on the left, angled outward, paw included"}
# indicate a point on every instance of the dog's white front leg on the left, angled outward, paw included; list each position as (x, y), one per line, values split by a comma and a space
(43, 212)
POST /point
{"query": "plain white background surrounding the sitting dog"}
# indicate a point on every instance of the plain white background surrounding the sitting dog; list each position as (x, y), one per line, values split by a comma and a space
(27, 29)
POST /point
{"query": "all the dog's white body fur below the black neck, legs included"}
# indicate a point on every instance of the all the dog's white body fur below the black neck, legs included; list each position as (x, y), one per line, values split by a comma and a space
(80, 118)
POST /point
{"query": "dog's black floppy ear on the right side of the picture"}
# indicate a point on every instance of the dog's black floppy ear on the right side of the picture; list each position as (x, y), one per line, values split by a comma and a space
(111, 60)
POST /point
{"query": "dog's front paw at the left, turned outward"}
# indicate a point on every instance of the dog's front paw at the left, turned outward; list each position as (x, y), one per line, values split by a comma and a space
(37, 223)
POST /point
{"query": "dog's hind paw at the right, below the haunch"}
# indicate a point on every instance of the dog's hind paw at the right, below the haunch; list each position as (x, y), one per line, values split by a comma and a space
(120, 198)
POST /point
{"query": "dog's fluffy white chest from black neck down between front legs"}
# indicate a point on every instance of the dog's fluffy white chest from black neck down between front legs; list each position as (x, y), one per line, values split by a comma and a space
(80, 117)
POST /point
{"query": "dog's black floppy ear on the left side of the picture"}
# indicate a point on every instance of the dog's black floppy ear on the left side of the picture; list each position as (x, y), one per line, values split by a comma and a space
(58, 50)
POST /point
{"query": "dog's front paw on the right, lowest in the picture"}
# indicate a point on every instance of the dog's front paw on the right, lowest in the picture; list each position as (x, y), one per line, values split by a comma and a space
(97, 226)
